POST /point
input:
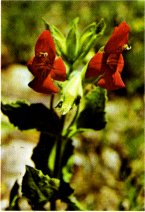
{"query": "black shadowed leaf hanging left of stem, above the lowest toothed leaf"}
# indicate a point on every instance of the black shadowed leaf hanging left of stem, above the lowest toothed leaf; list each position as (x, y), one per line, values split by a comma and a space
(41, 153)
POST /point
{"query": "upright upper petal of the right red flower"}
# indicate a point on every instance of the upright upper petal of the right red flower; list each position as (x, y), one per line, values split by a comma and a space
(118, 39)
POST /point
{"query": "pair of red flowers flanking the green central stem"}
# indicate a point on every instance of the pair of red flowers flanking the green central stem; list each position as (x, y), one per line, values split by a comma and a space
(107, 64)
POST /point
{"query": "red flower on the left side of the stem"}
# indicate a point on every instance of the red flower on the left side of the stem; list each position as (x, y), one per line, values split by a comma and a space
(45, 67)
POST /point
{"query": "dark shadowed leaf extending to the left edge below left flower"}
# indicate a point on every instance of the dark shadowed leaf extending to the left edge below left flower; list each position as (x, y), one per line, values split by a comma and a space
(26, 116)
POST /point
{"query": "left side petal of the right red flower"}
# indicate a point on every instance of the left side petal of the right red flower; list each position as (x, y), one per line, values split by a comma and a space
(95, 65)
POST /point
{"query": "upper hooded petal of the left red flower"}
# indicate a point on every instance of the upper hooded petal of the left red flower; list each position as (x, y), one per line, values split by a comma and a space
(45, 44)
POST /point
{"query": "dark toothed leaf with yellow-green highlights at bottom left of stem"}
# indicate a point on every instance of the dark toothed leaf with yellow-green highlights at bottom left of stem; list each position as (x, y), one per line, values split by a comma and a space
(39, 188)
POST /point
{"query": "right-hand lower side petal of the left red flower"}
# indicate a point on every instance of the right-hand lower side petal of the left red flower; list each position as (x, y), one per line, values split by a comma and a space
(59, 71)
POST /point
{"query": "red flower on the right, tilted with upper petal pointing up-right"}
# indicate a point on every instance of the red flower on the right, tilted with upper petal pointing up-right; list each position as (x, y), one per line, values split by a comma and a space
(109, 63)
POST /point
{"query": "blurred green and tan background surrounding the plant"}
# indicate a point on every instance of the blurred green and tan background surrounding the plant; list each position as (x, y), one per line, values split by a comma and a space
(109, 164)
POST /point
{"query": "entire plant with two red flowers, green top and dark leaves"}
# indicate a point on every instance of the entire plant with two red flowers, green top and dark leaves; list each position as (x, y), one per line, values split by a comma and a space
(82, 99)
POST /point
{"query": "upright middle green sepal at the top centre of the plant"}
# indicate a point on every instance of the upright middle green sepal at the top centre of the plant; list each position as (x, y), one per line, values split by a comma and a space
(72, 41)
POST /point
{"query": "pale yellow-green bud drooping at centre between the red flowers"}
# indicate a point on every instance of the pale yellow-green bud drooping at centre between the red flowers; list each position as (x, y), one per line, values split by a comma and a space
(71, 92)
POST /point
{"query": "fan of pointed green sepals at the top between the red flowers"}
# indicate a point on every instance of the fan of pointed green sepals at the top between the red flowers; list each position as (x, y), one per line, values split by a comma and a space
(76, 47)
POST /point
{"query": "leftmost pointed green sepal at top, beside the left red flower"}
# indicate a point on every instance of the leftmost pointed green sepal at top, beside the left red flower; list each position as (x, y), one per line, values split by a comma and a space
(58, 37)
